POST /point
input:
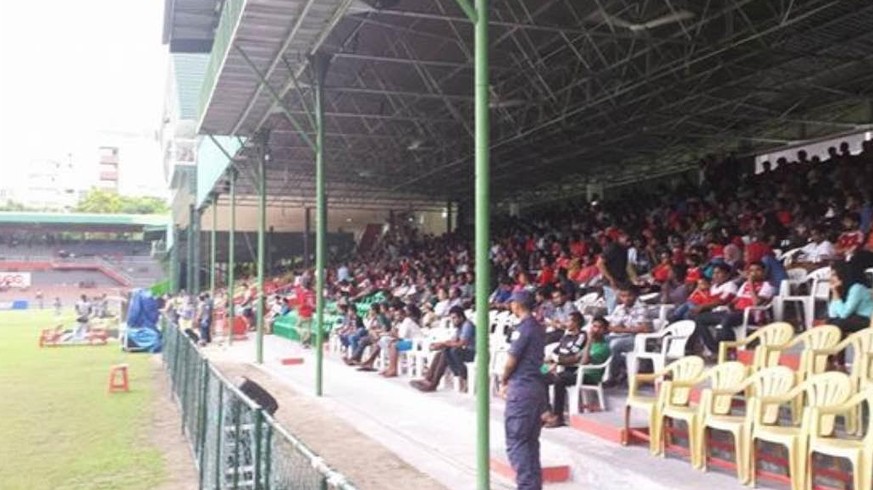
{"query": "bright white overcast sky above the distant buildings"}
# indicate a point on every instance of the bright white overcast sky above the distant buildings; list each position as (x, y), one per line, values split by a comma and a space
(78, 75)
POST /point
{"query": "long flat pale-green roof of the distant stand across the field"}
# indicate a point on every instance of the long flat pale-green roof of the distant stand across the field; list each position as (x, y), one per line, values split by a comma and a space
(91, 221)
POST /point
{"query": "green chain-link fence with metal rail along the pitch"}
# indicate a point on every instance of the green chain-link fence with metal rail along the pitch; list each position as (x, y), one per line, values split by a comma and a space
(235, 443)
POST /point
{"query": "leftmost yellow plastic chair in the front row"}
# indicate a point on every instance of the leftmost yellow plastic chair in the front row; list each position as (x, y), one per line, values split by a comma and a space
(684, 370)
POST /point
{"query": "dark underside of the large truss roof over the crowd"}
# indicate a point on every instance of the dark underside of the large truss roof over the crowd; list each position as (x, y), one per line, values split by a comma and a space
(580, 91)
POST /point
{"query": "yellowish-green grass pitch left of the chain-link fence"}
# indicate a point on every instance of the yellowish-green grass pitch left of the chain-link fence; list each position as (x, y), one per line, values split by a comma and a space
(59, 428)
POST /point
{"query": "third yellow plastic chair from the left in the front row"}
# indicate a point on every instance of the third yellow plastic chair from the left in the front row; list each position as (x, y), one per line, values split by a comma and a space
(716, 404)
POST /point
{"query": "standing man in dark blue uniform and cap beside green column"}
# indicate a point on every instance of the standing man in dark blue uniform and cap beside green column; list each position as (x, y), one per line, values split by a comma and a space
(523, 386)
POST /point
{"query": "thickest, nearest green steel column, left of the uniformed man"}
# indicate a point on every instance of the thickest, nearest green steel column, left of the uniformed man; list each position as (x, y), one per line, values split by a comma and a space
(483, 266)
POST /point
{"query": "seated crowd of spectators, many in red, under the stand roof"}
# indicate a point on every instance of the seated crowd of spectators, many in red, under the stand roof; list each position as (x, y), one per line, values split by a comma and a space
(710, 250)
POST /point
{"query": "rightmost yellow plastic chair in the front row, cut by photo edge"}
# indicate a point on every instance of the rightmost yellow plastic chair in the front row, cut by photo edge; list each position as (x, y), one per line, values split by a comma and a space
(859, 452)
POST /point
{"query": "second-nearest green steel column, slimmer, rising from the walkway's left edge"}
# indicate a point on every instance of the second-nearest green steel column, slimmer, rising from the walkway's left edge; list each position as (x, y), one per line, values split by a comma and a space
(321, 64)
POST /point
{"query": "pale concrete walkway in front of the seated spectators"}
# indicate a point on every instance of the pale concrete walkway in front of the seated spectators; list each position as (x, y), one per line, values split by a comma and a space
(436, 433)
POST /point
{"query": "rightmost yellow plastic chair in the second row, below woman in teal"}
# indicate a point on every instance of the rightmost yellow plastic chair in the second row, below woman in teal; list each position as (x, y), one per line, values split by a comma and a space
(861, 371)
